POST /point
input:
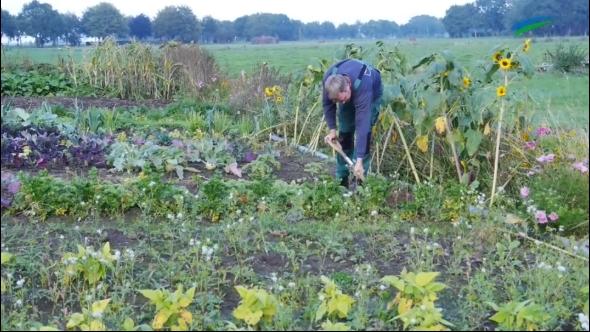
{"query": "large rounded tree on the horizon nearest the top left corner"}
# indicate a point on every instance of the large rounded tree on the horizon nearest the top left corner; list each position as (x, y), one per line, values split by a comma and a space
(40, 21)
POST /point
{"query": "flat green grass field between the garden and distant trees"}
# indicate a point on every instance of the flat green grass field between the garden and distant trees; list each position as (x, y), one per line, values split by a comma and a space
(563, 96)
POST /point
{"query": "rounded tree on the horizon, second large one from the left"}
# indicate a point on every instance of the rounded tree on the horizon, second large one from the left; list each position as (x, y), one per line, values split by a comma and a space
(104, 20)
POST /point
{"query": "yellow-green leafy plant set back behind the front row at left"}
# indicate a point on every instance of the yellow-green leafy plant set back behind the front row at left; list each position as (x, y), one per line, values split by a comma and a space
(90, 264)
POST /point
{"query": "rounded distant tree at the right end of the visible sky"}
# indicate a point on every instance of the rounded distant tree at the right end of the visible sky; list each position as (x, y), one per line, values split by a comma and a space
(461, 21)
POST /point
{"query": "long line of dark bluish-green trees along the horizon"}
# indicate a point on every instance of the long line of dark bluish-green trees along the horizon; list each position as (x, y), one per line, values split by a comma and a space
(480, 18)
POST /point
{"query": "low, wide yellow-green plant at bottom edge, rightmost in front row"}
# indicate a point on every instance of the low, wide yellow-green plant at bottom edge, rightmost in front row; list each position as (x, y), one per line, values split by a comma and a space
(514, 316)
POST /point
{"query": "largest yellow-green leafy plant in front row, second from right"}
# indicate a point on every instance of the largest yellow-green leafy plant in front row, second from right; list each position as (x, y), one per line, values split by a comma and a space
(415, 299)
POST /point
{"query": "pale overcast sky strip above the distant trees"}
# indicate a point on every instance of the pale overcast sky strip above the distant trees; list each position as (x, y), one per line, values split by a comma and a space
(336, 11)
